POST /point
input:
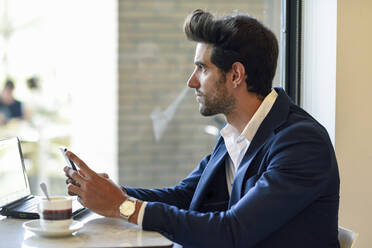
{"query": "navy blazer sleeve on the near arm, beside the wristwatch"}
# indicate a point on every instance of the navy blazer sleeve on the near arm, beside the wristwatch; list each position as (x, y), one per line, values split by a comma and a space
(298, 168)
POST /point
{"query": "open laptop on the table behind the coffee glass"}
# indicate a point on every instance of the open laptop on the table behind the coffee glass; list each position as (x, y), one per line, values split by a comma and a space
(16, 199)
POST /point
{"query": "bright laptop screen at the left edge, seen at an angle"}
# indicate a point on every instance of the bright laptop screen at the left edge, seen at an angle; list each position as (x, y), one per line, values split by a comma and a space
(13, 179)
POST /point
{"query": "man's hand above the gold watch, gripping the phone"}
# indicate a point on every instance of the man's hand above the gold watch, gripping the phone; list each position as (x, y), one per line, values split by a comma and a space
(95, 191)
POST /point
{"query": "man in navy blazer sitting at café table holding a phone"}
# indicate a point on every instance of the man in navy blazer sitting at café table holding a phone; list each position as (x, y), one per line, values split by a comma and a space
(272, 179)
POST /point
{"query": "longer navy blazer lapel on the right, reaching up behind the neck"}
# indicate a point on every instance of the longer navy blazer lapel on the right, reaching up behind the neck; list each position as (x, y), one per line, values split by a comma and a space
(275, 118)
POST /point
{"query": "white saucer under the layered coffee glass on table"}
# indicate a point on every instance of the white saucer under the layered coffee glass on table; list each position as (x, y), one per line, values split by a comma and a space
(35, 227)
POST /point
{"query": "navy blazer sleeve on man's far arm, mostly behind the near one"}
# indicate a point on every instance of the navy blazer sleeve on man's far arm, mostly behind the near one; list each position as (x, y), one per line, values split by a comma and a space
(179, 195)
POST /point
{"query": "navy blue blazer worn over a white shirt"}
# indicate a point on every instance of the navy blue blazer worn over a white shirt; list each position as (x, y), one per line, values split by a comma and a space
(285, 192)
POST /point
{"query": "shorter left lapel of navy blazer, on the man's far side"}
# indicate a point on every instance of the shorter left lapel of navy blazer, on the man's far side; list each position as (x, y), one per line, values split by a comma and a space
(216, 161)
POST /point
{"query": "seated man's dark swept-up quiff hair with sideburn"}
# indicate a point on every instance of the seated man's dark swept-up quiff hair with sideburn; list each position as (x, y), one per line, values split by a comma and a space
(237, 38)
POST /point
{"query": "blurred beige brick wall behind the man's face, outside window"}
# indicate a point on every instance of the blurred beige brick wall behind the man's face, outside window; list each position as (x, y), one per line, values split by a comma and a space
(155, 61)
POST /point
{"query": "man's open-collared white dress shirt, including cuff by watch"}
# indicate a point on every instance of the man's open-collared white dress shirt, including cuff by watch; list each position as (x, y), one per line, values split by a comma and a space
(236, 144)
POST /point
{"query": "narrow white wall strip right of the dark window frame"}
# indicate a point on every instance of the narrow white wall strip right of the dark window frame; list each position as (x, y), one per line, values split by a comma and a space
(319, 61)
